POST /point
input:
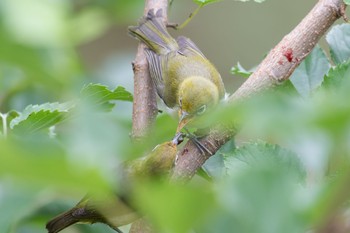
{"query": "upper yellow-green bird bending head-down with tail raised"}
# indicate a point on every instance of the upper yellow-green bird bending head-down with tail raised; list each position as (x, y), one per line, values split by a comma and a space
(182, 75)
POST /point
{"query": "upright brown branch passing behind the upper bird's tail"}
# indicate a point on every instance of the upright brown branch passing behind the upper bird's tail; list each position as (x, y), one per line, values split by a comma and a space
(145, 105)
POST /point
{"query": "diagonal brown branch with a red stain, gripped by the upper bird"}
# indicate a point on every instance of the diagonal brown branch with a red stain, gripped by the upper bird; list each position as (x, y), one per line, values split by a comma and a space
(274, 69)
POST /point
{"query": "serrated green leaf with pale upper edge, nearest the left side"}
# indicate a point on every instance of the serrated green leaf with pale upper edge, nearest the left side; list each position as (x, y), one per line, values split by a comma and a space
(39, 117)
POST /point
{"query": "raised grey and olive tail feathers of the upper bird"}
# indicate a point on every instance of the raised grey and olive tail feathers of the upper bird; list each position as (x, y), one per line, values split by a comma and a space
(152, 31)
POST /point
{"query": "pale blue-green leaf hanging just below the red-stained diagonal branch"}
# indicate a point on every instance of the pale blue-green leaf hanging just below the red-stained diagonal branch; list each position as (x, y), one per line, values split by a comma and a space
(309, 75)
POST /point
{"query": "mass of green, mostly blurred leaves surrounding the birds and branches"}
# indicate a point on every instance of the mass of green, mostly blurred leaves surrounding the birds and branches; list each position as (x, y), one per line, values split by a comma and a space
(287, 170)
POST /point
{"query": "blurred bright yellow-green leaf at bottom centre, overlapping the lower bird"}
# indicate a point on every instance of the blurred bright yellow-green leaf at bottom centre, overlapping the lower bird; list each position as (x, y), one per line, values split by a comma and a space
(164, 204)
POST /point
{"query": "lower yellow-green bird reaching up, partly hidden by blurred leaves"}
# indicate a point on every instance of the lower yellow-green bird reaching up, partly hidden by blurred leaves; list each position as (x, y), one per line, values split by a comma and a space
(115, 210)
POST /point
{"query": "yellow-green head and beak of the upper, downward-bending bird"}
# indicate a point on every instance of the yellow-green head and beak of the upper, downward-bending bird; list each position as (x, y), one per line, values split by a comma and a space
(196, 96)
